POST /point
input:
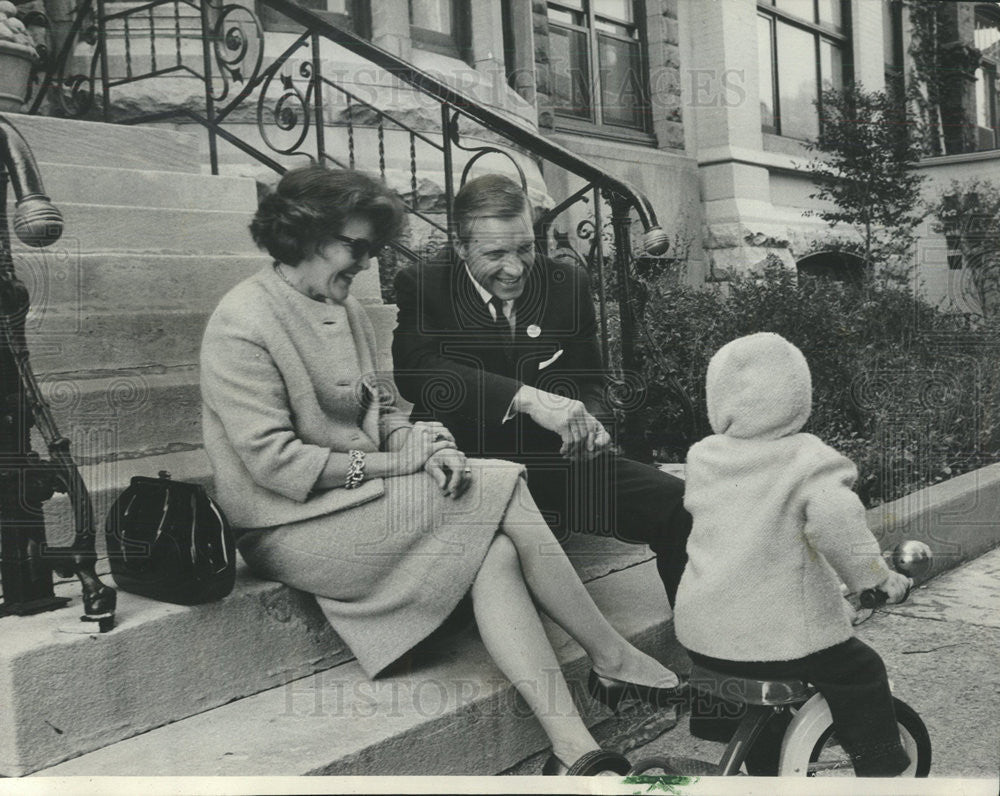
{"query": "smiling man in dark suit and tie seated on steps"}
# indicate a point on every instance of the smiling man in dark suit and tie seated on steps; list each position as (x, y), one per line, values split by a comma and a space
(500, 345)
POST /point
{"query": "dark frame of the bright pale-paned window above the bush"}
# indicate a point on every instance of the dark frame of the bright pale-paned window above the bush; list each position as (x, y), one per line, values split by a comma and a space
(819, 32)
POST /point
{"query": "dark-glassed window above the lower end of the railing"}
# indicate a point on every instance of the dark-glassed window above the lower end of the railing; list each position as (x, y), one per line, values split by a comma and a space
(606, 33)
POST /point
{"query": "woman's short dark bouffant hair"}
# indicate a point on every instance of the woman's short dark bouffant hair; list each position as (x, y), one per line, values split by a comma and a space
(311, 203)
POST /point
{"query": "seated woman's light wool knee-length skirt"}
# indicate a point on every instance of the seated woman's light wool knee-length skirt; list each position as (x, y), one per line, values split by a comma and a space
(387, 573)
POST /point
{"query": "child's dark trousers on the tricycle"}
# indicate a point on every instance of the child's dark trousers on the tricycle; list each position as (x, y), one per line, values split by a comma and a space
(852, 679)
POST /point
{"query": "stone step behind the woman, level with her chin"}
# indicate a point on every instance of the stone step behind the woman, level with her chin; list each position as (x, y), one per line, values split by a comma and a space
(122, 281)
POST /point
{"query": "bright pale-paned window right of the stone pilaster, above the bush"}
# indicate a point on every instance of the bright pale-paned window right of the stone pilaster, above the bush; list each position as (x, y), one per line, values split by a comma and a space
(802, 48)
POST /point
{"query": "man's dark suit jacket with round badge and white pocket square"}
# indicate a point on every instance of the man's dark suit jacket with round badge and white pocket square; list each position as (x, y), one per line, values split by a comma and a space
(456, 367)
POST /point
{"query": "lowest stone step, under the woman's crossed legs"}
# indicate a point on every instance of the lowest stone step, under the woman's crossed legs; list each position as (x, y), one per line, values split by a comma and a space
(452, 713)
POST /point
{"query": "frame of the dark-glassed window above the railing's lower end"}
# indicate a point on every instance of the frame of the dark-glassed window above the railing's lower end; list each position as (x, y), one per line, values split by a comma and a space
(596, 126)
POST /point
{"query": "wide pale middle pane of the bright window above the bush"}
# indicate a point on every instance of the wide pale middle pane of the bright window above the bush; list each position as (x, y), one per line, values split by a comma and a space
(797, 81)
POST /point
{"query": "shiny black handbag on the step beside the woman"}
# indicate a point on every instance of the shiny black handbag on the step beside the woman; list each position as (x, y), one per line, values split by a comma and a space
(168, 540)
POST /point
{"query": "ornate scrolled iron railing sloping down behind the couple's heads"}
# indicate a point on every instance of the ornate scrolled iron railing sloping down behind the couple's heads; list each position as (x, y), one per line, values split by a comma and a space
(221, 46)
